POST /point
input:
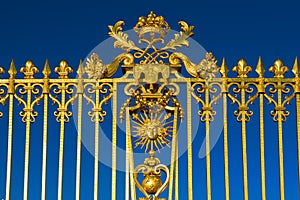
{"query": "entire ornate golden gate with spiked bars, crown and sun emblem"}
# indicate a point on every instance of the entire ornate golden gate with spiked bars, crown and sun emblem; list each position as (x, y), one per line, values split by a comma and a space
(158, 89)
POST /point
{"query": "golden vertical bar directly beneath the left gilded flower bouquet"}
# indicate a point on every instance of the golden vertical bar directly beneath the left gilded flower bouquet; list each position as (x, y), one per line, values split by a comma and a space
(96, 158)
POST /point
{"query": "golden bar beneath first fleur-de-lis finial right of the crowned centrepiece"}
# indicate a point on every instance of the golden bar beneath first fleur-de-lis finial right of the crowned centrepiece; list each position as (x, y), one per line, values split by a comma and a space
(244, 144)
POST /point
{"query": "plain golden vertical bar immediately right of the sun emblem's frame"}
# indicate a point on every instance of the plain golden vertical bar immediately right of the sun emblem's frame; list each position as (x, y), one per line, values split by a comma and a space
(190, 142)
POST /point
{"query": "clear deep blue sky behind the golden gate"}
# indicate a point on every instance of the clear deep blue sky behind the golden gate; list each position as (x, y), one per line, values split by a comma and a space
(233, 29)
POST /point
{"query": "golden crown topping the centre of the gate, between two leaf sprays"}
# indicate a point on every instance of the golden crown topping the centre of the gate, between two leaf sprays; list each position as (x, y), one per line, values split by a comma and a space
(151, 24)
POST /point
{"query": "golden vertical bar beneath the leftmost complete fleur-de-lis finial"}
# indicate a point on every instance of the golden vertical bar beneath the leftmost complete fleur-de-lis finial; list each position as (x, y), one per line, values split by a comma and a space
(27, 144)
